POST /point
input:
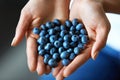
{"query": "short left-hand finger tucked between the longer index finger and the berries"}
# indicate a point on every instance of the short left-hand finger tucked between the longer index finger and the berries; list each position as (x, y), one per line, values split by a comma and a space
(41, 68)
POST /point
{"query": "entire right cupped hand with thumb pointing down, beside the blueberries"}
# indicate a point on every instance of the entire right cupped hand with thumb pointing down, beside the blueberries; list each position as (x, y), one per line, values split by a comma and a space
(92, 15)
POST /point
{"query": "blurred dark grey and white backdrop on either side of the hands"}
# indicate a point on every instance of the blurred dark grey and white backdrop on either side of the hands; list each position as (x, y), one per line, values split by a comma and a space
(13, 62)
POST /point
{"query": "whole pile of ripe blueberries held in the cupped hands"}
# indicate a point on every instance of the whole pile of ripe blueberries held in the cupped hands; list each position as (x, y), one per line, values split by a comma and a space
(60, 42)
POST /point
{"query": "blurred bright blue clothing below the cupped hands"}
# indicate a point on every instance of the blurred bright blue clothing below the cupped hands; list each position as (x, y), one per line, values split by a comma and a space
(105, 67)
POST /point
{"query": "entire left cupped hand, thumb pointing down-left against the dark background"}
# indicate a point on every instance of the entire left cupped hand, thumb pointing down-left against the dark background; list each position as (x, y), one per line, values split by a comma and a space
(33, 14)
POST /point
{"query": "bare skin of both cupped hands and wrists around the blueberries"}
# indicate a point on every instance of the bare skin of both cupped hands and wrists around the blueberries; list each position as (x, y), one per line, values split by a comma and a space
(90, 12)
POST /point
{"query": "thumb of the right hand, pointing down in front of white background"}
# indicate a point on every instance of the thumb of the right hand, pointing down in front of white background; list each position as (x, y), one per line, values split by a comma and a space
(101, 38)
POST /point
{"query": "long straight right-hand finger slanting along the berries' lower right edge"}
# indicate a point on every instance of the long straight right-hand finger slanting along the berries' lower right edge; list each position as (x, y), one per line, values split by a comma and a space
(77, 62)
